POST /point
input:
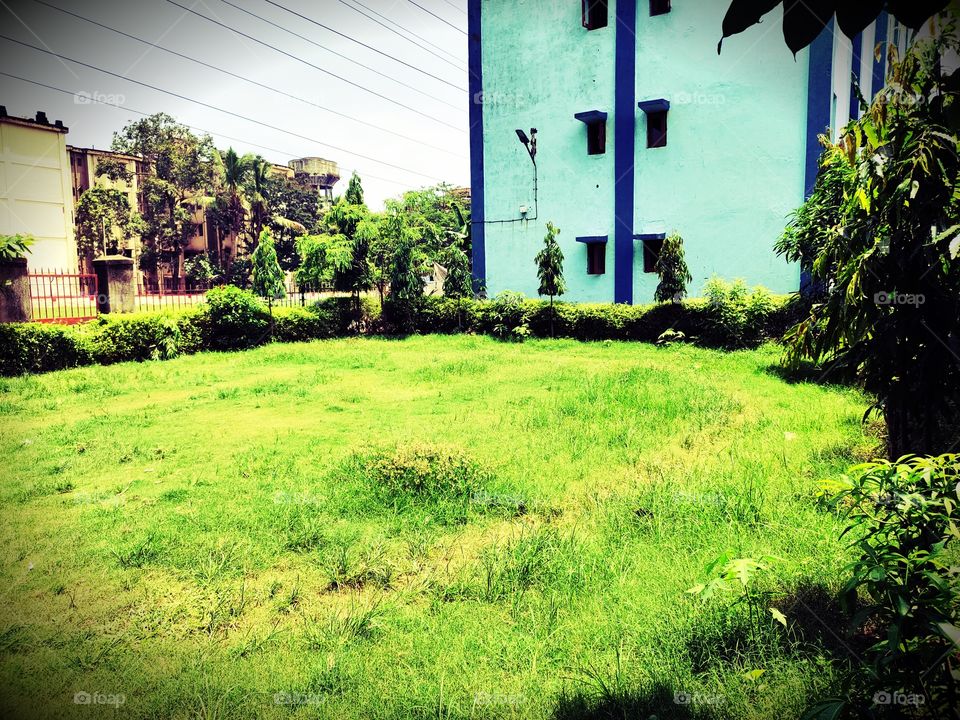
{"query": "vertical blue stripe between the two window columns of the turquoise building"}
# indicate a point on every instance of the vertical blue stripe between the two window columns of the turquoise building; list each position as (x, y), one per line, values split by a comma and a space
(625, 114)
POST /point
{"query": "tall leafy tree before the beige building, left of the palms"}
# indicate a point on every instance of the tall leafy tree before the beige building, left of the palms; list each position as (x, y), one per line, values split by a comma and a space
(178, 175)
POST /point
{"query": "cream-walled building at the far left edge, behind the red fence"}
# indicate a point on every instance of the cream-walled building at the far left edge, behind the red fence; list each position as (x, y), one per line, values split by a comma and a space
(36, 197)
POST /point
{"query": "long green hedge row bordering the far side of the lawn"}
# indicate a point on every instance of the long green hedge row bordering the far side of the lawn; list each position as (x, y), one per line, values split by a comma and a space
(233, 319)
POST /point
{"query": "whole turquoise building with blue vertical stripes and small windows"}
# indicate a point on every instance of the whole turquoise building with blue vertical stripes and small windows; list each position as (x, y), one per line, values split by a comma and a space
(620, 123)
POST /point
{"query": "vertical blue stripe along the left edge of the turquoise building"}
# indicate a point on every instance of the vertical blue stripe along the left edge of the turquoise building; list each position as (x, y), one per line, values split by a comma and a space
(477, 211)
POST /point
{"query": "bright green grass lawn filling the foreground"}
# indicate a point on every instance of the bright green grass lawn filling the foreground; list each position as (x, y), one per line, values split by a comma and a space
(210, 536)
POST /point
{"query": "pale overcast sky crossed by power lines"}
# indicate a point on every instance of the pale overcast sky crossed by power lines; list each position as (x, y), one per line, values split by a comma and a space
(349, 80)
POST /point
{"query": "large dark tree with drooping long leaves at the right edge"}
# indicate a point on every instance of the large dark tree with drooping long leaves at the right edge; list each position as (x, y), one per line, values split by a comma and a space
(889, 262)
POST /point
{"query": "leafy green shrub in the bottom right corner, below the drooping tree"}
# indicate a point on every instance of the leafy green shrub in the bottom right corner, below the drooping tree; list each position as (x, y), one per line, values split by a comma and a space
(905, 514)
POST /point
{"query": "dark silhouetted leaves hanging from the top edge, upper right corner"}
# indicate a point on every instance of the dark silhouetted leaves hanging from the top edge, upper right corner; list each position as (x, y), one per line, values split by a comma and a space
(804, 20)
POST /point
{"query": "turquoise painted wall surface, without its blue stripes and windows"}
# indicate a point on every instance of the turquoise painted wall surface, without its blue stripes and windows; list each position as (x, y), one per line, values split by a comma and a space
(732, 171)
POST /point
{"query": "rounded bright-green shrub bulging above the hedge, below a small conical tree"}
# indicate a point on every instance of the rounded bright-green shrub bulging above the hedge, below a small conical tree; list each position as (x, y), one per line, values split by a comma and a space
(235, 319)
